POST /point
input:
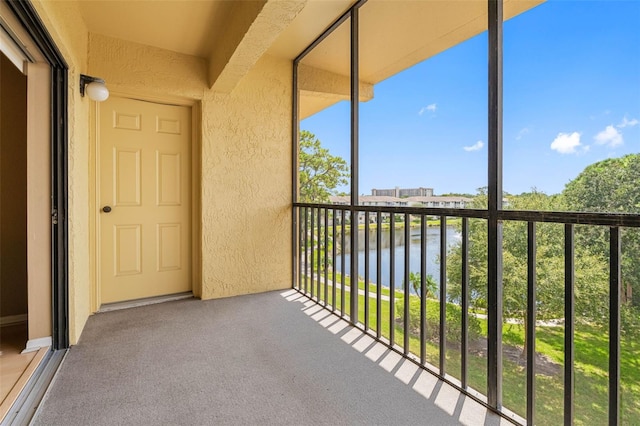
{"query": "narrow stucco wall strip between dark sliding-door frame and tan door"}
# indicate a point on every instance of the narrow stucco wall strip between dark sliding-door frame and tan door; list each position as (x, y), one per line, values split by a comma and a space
(64, 22)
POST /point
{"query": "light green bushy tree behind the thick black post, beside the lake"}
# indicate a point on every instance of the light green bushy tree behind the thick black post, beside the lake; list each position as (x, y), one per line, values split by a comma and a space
(590, 269)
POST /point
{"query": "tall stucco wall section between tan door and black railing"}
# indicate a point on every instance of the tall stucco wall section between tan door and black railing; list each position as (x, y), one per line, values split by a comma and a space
(246, 193)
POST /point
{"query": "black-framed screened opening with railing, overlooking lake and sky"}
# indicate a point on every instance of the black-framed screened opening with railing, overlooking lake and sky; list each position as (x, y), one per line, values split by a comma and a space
(522, 301)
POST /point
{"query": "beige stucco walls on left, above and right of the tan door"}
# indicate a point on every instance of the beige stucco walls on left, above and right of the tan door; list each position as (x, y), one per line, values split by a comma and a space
(245, 152)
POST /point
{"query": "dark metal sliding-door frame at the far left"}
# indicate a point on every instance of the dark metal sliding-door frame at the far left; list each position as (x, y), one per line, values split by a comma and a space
(35, 28)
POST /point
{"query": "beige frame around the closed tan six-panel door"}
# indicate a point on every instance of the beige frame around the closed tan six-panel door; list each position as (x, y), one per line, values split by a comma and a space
(94, 178)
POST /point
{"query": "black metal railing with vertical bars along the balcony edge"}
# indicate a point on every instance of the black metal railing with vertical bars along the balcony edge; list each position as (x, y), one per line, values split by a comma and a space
(322, 232)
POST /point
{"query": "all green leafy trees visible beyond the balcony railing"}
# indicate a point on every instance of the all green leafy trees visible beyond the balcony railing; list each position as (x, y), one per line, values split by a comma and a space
(609, 186)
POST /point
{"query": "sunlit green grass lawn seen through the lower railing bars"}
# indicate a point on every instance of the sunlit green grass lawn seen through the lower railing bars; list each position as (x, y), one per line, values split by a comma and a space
(591, 363)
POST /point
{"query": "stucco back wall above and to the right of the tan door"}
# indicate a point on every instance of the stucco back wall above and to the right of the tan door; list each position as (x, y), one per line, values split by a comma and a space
(245, 154)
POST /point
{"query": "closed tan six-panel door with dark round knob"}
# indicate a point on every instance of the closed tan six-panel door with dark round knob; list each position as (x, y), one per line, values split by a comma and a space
(145, 199)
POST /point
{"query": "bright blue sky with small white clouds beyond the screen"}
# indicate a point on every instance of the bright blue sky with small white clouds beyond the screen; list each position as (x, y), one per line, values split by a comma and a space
(571, 98)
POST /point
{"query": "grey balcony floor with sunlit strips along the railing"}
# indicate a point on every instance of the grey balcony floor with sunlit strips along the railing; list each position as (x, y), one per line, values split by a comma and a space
(272, 358)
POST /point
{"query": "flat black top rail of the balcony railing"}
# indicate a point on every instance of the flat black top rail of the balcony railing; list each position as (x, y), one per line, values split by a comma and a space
(577, 218)
